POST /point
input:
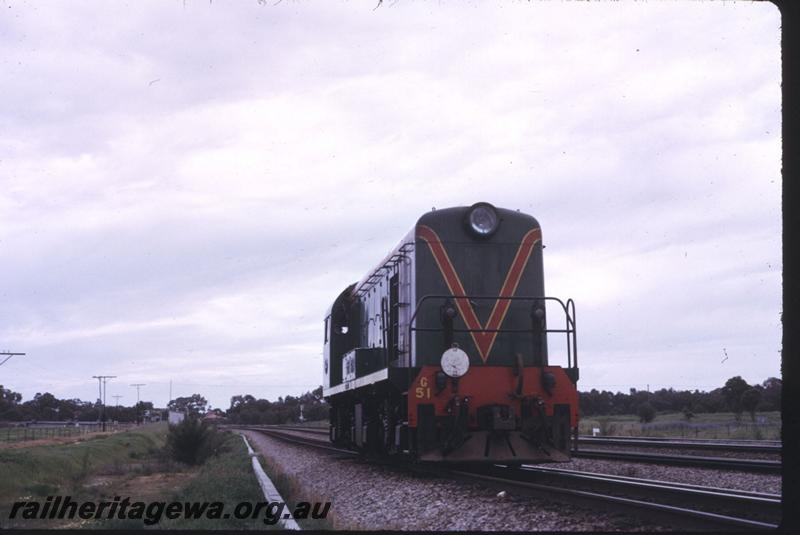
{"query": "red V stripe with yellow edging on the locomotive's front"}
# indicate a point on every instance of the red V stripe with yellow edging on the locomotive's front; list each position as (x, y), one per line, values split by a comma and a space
(483, 340)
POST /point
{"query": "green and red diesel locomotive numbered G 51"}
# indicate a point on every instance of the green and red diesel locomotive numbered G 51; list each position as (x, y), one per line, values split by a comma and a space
(440, 353)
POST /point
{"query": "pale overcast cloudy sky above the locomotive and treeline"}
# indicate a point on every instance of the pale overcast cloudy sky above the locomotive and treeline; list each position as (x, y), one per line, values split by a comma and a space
(185, 186)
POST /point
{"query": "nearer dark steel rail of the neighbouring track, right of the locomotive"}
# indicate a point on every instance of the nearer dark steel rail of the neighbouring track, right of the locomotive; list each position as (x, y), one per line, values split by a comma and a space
(724, 463)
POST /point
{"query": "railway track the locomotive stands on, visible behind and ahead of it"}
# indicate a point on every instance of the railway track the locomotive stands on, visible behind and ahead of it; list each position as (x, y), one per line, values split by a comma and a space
(691, 505)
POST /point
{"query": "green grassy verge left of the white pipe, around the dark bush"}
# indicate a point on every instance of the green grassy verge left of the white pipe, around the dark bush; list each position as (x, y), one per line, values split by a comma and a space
(131, 464)
